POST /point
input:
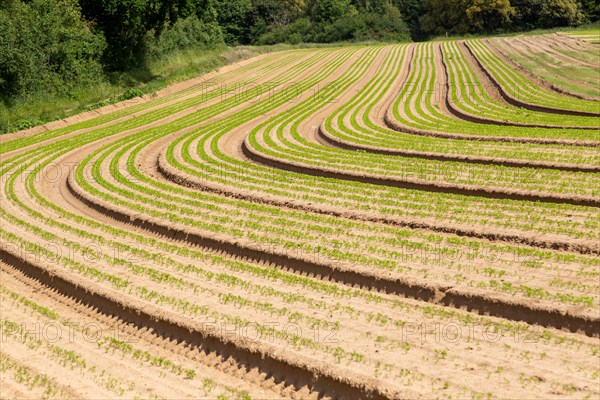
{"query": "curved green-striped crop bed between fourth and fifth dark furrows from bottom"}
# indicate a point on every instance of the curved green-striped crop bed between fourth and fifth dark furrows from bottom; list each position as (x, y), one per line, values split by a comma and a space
(274, 144)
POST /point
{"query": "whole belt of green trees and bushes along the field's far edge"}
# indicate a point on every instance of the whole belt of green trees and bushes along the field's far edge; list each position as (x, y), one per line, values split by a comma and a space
(57, 47)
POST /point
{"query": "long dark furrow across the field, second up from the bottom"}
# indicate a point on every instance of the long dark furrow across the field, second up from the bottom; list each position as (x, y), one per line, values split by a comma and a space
(447, 296)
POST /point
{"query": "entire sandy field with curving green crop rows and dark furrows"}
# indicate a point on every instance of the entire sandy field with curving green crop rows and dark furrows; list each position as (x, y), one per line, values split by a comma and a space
(363, 222)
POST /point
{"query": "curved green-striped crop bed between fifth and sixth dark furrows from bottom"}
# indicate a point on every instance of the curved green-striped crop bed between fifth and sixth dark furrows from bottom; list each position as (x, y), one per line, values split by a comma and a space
(356, 125)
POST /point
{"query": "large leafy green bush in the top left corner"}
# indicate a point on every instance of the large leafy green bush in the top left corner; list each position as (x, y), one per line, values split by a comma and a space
(46, 48)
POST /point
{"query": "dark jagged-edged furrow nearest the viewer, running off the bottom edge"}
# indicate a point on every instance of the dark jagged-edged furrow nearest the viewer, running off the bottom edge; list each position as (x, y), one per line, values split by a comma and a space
(231, 355)
